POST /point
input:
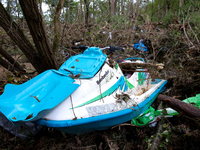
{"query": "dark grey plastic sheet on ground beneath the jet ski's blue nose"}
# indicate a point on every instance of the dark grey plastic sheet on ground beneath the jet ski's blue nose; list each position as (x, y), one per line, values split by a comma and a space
(22, 131)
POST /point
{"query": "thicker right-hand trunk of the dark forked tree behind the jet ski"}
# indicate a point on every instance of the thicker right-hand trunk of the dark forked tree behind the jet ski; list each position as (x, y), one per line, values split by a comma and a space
(35, 24)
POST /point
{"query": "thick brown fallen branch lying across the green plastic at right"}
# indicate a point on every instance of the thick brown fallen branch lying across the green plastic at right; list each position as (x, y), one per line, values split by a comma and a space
(180, 106)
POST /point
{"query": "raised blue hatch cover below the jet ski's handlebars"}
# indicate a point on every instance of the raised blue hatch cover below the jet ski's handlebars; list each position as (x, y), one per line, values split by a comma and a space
(86, 64)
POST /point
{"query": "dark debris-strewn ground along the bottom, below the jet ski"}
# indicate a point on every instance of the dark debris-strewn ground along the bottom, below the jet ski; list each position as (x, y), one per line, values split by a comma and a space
(178, 136)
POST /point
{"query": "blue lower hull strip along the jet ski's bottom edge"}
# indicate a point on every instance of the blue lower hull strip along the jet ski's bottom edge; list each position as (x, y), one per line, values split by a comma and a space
(101, 122)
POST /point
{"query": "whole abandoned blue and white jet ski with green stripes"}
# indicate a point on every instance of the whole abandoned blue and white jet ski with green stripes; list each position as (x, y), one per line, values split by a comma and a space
(88, 92)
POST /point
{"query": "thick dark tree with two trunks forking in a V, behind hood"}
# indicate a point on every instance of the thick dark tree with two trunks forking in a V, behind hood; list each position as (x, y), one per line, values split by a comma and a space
(40, 57)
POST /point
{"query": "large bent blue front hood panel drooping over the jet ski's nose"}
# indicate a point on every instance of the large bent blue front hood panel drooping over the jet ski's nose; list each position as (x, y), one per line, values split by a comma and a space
(36, 97)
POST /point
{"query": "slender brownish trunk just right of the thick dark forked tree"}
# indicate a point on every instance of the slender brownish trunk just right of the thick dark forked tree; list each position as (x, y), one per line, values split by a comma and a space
(56, 39)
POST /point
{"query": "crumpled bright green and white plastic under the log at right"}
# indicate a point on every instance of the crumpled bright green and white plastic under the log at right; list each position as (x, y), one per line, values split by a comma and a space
(150, 116)
